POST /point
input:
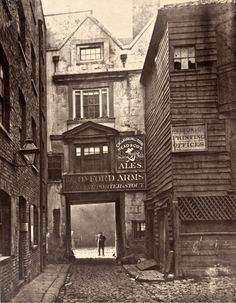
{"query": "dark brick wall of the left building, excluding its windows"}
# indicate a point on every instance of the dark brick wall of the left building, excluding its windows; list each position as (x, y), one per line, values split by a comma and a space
(16, 182)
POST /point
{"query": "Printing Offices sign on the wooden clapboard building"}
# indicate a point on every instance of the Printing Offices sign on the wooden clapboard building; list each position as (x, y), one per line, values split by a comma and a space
(188, 138)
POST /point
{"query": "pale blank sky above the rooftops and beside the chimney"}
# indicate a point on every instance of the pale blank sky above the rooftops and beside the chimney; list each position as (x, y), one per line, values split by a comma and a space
(114, 14)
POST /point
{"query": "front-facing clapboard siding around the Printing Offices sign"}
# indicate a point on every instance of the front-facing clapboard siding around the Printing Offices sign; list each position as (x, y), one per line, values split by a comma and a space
(194, 99)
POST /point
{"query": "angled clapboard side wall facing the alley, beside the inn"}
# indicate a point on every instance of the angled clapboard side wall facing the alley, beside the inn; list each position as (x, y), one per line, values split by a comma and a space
(157, 119)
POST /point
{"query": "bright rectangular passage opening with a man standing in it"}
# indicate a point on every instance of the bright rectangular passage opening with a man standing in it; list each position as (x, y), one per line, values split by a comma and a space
(89, 219)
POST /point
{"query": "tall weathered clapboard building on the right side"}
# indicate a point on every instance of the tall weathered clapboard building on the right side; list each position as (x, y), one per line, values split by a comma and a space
(189, 77)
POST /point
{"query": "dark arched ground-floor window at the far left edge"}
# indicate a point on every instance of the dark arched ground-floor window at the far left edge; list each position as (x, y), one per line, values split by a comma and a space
(5, 224)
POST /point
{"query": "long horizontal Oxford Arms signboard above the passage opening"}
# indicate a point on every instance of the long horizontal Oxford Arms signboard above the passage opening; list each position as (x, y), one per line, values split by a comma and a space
(104, 182)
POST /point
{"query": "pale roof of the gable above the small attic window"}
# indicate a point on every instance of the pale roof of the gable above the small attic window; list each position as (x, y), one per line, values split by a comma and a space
(61, 27)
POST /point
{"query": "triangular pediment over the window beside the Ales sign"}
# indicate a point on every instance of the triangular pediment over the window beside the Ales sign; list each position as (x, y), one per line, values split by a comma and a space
(89, 130)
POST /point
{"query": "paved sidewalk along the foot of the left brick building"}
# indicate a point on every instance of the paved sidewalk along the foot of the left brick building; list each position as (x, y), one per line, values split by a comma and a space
(45, 287)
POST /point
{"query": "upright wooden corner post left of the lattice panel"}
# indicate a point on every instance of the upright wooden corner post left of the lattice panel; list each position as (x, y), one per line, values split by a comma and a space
(176, 232)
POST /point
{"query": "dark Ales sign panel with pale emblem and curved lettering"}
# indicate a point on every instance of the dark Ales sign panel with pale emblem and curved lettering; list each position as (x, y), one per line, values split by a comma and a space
(130, 153)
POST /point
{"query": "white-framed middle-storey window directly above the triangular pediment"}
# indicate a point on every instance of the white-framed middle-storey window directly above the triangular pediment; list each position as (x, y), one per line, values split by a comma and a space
(91, 103)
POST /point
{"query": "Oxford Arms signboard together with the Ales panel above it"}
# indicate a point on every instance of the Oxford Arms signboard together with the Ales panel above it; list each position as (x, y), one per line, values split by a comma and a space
(129, 170)
